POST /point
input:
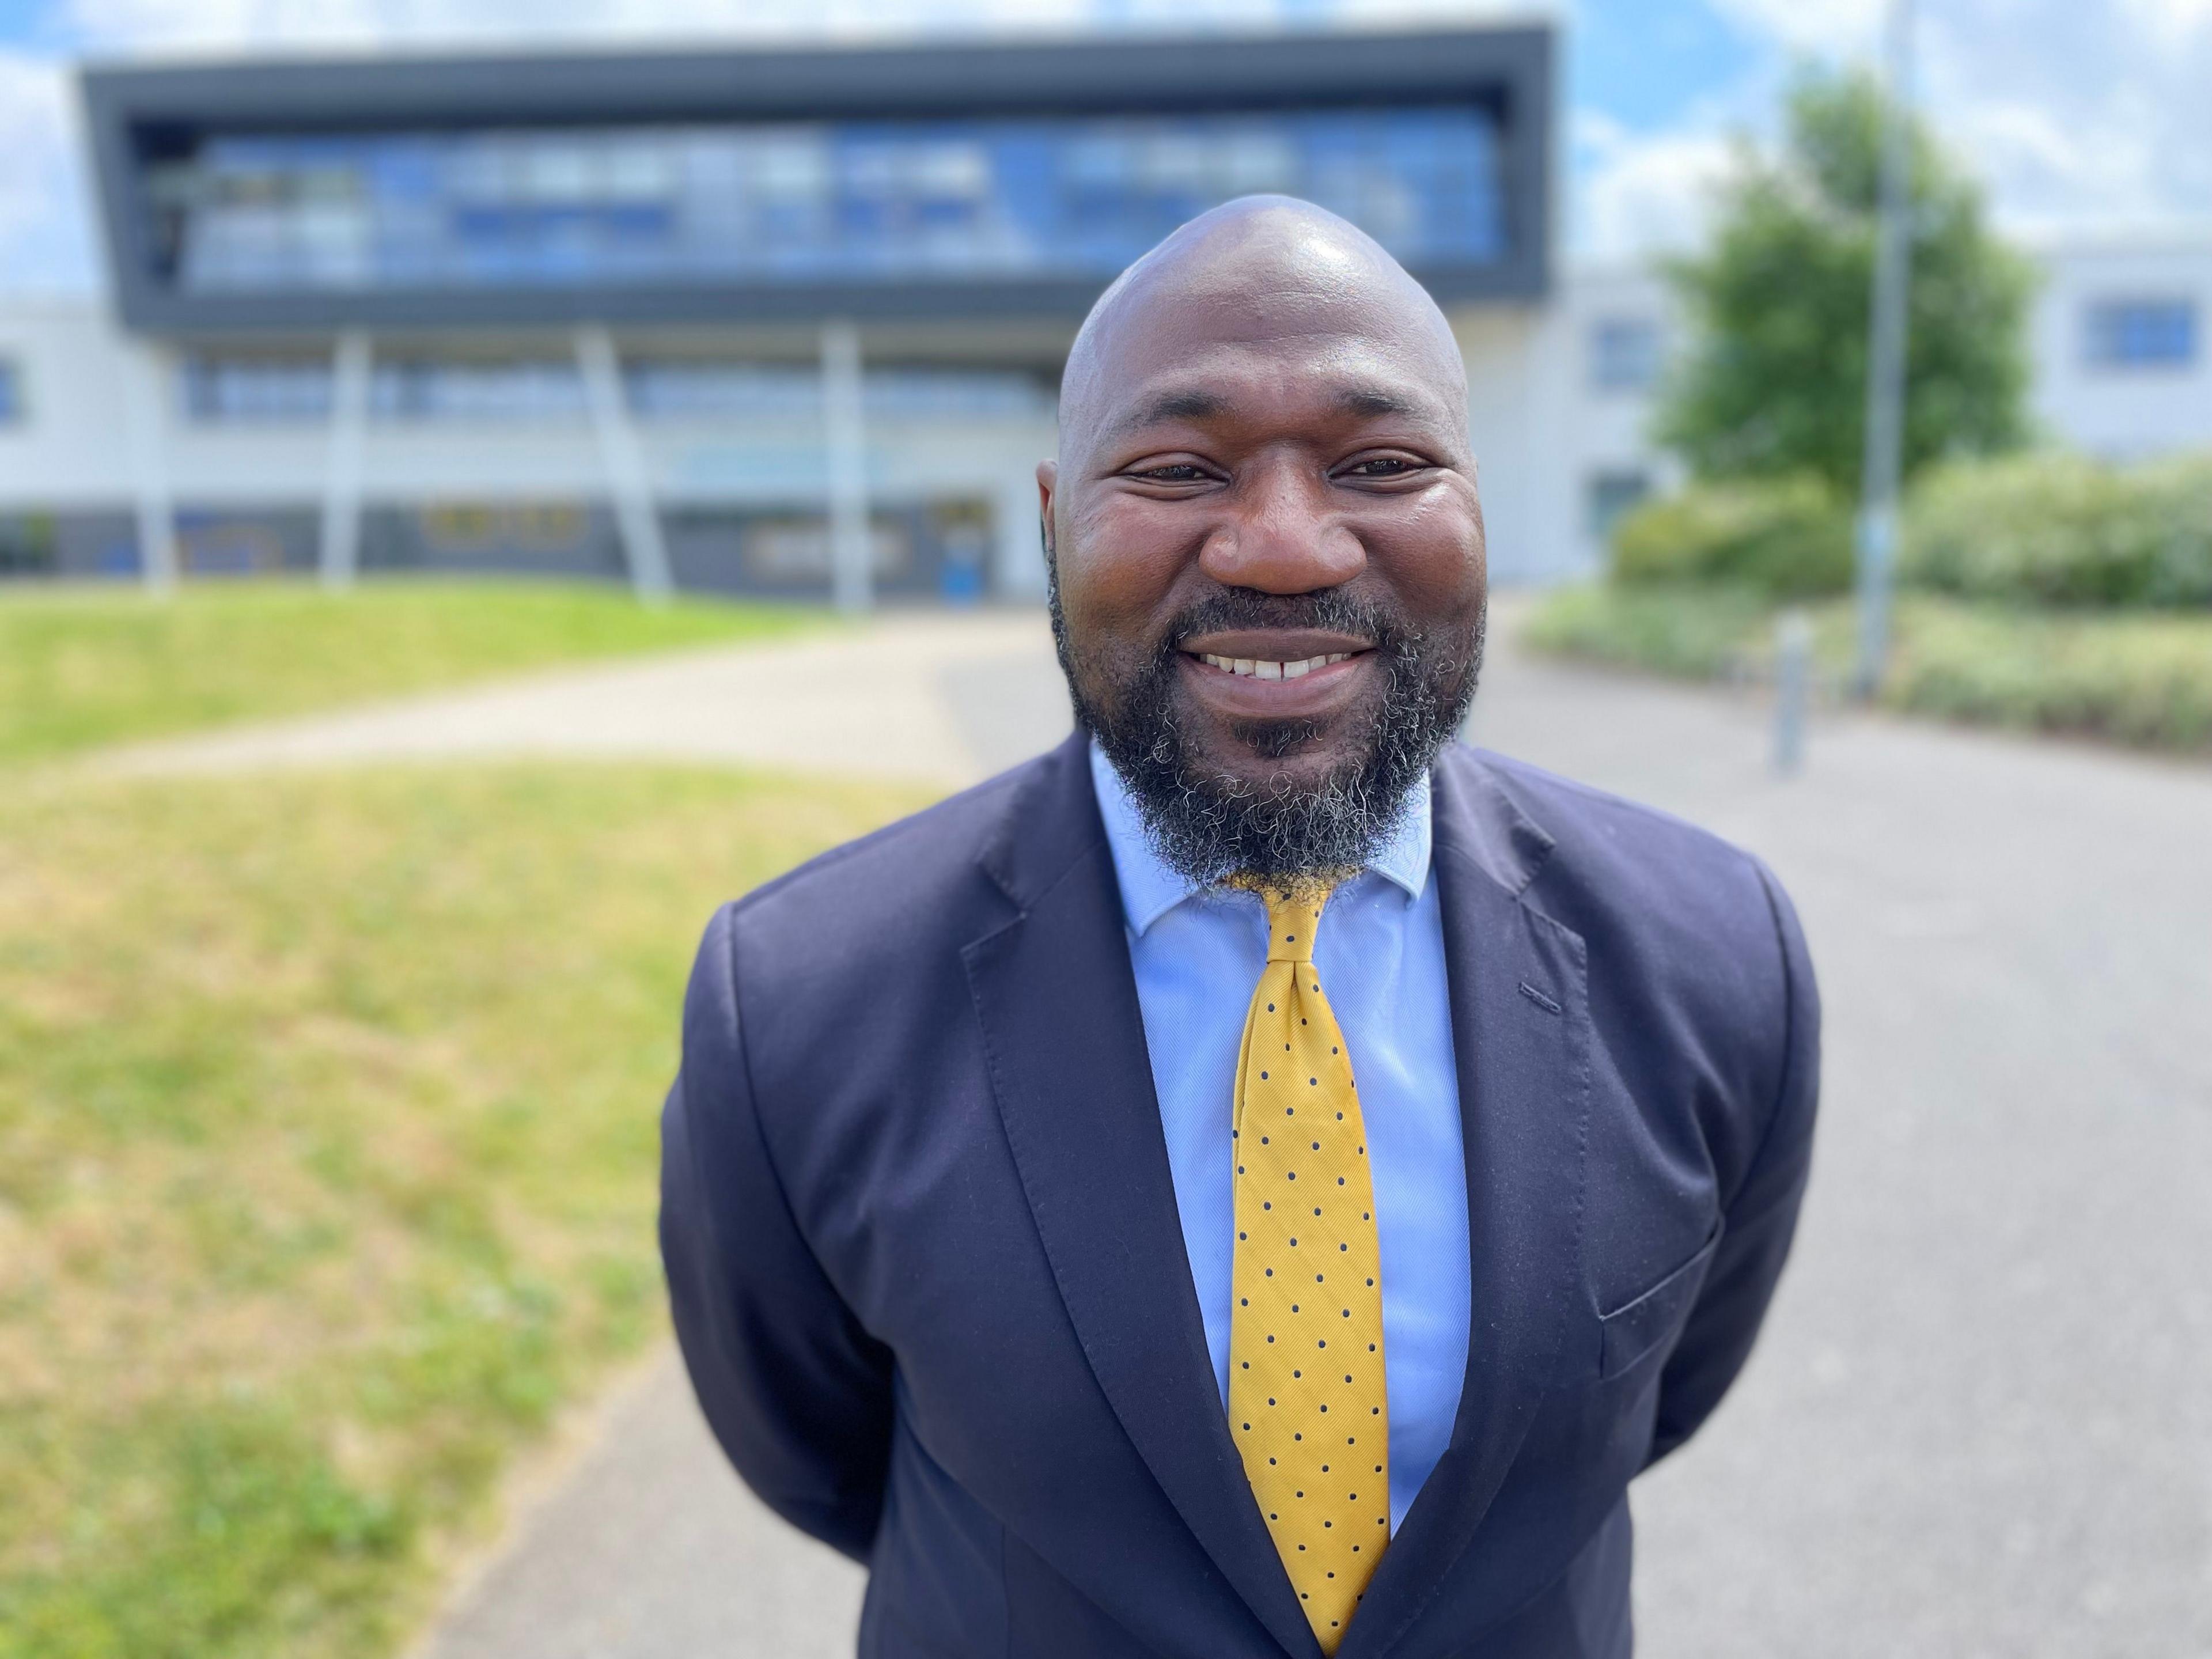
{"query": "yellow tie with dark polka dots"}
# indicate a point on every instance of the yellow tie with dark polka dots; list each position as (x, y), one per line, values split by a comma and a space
(1306, 1335)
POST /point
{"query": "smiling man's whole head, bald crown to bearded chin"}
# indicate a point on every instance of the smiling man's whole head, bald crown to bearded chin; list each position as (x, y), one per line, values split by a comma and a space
(1266, 539)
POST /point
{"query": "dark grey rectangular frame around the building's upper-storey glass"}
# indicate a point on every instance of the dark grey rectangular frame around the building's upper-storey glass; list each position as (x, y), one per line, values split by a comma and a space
(140, 114)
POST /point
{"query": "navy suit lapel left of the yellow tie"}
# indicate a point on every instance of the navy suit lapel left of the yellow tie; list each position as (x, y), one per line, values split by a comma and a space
(1065, 1041)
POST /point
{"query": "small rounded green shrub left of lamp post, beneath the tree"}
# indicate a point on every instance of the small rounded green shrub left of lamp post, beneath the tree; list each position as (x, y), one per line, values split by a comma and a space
(1786, 539)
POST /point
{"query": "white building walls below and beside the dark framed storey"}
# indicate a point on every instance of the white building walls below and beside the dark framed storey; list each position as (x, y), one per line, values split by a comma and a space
(1558, 430)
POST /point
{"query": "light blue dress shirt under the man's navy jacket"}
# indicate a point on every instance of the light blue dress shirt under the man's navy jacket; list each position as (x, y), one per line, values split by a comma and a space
(1381, 957)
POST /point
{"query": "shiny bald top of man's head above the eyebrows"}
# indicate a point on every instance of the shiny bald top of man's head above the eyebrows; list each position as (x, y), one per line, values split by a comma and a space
(1262, 275)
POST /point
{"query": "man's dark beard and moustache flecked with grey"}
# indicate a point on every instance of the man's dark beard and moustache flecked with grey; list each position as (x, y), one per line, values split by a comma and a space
(1207, 824)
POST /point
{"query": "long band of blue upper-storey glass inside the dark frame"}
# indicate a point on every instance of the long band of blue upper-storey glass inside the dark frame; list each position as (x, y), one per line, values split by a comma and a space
(979, 200)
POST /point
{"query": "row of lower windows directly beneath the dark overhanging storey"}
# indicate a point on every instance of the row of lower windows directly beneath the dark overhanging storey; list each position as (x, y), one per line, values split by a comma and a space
(222, 388)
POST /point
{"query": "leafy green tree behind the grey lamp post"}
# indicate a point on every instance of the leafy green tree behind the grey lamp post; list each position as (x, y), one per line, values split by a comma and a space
(1777, 377)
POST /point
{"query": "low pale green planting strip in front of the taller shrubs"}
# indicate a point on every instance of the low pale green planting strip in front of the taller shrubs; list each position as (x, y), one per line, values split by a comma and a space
(2127, 676)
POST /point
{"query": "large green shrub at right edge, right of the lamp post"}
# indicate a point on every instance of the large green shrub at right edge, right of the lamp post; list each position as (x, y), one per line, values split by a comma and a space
(2065, 530)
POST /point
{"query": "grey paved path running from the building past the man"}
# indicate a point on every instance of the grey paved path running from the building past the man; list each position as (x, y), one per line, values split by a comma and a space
(1981, 1419)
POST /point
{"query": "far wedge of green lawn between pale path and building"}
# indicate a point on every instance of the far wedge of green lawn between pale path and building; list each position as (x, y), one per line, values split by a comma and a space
(85, 667)
